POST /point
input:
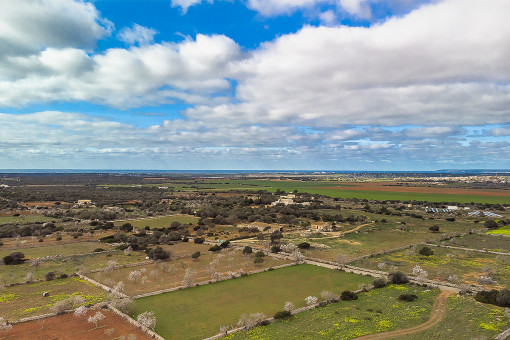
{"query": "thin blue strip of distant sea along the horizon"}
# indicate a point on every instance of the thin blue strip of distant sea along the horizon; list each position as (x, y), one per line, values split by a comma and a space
(449, 172)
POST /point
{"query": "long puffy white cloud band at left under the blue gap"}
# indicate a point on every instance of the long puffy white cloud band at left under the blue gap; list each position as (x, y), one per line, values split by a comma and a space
(193, 71)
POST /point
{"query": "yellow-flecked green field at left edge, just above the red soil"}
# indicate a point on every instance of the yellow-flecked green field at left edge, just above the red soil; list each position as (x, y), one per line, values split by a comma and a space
(27, 300)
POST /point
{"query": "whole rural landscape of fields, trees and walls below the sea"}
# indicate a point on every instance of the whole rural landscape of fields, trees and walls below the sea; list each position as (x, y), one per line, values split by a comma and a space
(254, 256)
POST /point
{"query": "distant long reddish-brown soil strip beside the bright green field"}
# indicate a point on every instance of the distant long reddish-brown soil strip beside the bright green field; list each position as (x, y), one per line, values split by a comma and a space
(392, 187)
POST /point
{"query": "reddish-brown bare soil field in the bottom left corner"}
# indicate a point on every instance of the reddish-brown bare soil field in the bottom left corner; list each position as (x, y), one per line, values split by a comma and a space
(70, 327)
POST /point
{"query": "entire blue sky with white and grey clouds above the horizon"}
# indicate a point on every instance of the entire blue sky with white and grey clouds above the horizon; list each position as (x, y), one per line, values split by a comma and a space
(255, 84)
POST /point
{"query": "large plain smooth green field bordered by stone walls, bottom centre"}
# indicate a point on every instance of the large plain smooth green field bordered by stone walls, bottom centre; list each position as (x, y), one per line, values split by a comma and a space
(199, 312)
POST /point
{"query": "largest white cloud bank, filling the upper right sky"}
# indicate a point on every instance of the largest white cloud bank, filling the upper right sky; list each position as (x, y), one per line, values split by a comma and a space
(443, 64)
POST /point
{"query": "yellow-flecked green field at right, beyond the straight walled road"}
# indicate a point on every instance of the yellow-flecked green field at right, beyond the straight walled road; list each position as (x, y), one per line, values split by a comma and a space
(468, 266)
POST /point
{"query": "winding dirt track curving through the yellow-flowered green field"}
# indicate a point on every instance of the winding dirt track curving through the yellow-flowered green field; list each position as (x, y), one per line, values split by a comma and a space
(438, 313)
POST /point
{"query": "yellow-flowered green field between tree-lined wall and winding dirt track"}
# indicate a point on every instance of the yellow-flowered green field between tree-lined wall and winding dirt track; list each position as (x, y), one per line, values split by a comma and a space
(376, 311)
